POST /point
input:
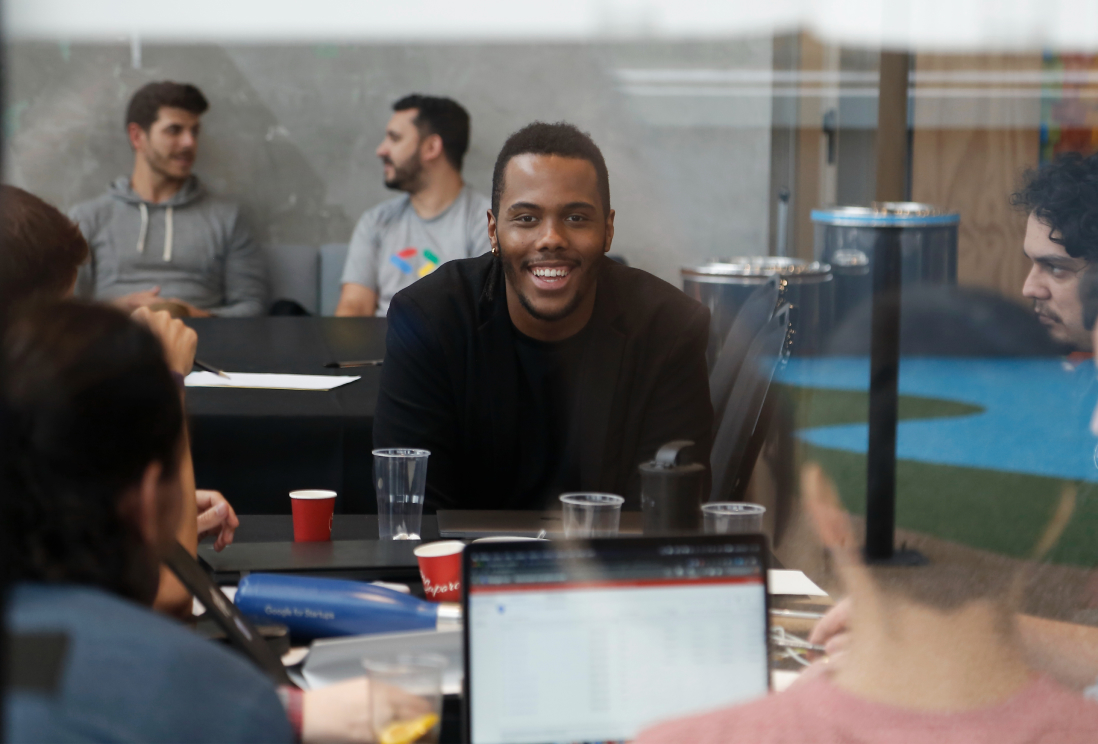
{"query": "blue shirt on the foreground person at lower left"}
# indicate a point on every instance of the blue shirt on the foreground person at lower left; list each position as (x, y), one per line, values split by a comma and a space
(122, 657)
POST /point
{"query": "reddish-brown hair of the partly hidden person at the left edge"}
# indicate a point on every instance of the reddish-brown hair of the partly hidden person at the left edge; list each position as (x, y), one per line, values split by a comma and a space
(41, 250)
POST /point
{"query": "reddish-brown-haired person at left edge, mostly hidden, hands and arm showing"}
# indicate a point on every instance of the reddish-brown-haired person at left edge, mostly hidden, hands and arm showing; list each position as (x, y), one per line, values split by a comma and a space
(41, 252)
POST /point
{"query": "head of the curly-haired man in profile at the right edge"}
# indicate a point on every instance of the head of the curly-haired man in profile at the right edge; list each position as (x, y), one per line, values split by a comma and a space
(1061, 200)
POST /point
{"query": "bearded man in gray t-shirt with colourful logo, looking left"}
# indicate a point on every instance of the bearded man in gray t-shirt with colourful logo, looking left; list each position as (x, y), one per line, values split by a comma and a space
(438, 220)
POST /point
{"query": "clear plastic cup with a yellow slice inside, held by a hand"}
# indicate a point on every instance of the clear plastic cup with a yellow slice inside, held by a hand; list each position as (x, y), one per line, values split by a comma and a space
(407, 698)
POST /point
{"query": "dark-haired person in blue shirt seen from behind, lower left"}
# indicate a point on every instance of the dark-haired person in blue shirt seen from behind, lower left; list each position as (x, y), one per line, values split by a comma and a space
(92, 445)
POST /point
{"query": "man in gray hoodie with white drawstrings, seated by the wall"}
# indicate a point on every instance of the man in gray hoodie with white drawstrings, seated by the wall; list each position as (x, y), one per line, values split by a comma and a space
(158, 236)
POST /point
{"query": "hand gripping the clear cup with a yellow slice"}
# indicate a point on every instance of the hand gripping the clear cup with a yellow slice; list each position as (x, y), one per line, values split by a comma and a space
(344, 712)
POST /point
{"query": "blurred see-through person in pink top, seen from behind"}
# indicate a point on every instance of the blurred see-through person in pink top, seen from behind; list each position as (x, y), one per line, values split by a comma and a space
(934, 653)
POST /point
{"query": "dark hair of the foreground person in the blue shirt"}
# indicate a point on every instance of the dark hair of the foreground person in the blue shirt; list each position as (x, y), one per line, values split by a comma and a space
(87, 403)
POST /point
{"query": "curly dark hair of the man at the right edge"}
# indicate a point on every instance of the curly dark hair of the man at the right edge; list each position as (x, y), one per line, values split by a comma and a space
(1065, 196)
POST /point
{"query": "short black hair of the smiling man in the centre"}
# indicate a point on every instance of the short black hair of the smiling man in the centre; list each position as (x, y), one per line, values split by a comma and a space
(559, 139)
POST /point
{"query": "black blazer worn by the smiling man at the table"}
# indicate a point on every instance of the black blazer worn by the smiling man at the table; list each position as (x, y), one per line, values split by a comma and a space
(451, 384)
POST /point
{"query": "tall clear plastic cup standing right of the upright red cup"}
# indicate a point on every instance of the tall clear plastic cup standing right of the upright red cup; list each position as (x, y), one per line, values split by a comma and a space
(400, 477)
